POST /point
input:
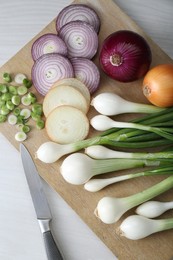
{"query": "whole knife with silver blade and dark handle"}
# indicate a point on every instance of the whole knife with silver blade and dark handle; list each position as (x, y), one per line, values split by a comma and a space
(40, 204)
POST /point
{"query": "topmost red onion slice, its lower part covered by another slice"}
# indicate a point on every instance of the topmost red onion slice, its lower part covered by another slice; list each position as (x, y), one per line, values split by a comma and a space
(79, 12)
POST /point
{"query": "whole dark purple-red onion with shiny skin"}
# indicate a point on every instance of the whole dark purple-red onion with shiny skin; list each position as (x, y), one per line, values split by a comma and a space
(125, 56)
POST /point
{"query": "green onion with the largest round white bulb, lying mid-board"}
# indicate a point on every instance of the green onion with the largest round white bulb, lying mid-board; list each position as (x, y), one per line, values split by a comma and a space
(78, 168)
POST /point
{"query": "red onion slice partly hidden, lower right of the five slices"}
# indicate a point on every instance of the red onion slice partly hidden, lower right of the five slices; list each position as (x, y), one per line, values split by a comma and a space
(86, 71)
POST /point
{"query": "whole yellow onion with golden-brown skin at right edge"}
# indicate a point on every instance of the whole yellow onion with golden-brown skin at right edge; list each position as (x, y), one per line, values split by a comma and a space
(158, 85)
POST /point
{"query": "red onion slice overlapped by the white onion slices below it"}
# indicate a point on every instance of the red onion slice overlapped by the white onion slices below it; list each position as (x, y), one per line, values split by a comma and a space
(48, 69)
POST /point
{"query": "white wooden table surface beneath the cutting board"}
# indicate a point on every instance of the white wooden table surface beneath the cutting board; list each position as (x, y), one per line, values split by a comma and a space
(20, 236)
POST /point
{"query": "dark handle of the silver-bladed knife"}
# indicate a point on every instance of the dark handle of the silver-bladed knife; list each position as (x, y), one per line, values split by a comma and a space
(52, 250)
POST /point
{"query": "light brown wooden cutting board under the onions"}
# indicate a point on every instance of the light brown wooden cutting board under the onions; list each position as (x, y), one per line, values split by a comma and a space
(157, 246)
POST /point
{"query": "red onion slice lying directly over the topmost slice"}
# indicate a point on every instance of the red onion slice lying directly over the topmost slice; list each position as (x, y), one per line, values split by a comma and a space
(80, 38)
